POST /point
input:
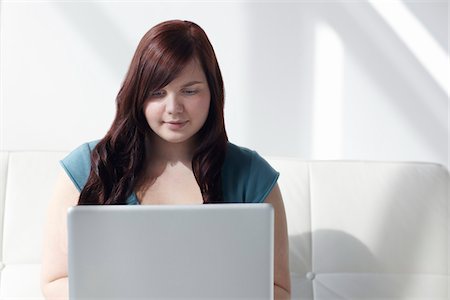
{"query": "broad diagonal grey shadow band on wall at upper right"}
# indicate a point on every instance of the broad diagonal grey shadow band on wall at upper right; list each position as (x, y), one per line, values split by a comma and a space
(395, 70)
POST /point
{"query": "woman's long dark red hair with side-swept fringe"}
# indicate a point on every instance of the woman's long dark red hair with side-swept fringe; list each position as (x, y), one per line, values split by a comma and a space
(117, 160)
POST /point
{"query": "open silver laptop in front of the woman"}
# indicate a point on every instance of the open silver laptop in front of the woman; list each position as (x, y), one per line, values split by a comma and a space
(215, 251)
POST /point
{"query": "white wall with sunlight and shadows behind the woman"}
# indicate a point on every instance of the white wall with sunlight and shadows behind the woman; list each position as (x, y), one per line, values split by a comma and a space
(330, 80)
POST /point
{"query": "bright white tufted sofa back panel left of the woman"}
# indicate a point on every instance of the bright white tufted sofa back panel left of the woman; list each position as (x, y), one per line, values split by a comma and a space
(29, 186)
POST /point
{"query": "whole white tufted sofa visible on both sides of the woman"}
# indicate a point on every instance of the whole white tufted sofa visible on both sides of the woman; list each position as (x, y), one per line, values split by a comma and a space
(358, 230)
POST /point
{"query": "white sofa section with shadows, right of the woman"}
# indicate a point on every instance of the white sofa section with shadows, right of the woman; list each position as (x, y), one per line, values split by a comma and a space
(366, 230)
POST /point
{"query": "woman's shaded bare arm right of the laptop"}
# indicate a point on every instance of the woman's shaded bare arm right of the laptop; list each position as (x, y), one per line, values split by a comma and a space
(282, 281)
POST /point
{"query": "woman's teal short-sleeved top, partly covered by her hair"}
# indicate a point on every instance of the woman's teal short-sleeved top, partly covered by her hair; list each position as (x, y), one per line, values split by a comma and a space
(246, 176)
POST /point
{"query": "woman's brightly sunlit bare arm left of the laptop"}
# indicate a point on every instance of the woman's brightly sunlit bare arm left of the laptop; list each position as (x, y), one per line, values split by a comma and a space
(54, 281)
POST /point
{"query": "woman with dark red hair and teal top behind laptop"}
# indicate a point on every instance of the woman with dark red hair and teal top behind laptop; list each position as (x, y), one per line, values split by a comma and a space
(169, 128)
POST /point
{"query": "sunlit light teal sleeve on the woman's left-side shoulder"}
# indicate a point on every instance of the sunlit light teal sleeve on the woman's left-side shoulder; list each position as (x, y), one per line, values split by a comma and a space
(77, 164)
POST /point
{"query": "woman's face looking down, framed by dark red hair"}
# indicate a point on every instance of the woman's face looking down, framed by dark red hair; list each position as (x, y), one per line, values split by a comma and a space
(176, 112)
